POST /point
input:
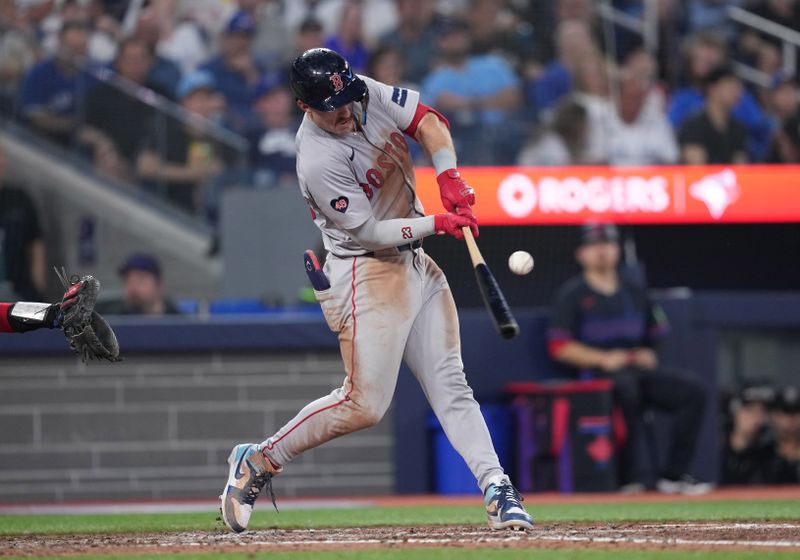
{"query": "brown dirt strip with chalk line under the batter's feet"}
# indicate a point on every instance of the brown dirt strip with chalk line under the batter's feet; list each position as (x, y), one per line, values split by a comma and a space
(690, 536)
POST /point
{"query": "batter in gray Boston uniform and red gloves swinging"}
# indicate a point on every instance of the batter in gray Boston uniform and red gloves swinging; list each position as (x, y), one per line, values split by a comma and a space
(384, 297)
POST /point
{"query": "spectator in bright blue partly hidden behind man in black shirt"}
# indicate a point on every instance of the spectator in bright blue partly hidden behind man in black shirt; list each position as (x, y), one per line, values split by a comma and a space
(702, 53)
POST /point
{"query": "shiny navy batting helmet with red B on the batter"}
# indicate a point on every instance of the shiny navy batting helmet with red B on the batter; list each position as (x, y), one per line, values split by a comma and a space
(323, 79)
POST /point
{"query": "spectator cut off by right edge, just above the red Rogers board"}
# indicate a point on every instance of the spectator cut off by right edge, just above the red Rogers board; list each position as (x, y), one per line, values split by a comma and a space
(784, 101)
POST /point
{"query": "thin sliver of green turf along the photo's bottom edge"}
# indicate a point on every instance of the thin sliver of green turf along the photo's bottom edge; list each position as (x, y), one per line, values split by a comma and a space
(473, 554)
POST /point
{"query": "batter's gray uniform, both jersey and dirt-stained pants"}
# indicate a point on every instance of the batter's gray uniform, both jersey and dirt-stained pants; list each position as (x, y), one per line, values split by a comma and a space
(386, 306)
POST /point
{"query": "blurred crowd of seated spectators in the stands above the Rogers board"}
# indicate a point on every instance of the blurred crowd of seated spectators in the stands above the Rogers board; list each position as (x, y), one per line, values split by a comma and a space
(523, 82)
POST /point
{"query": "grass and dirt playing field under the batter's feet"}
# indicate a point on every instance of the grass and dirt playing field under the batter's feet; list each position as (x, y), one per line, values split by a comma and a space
(753, 529)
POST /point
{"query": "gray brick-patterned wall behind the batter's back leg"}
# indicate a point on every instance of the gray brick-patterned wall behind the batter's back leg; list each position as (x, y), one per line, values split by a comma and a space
(162, 427)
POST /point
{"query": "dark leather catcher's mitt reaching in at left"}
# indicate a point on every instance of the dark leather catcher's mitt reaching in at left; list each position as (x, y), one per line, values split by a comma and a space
(87, 332)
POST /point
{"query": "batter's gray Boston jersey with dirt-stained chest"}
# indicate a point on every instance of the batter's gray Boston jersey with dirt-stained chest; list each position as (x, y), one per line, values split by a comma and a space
(347, 179)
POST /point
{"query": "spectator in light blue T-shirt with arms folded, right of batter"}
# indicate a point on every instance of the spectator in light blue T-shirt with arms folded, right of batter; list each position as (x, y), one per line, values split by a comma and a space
(478, 94)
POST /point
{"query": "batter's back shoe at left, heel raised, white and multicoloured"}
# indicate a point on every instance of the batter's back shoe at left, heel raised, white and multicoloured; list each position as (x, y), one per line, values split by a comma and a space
(249, 472)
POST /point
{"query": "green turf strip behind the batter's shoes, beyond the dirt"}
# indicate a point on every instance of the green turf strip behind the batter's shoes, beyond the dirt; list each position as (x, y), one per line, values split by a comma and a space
(267, 518)
